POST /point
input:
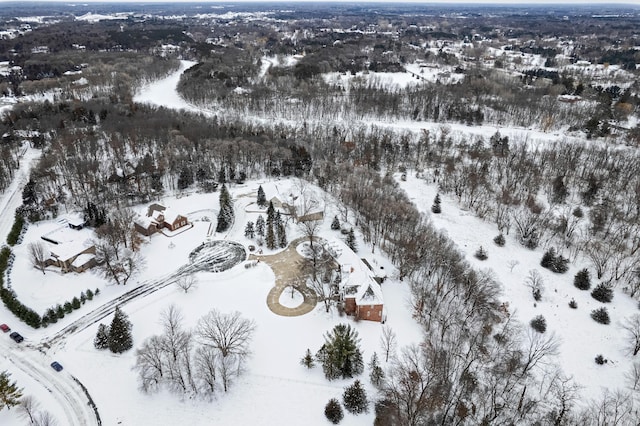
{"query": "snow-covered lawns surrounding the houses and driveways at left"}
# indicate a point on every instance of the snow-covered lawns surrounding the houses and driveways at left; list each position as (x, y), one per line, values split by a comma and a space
(278, 389)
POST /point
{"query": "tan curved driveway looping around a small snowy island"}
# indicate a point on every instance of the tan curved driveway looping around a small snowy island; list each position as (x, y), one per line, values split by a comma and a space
(286, 267)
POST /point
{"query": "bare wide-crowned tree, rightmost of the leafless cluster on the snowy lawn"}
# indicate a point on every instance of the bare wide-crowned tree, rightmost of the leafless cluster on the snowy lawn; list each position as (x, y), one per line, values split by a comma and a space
(229, 333)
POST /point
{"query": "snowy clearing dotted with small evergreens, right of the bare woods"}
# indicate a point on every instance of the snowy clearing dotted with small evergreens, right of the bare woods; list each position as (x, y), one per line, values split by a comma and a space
(582, 339)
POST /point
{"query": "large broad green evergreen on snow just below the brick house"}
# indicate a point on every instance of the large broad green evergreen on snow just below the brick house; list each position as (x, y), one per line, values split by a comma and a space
(340, 355)
